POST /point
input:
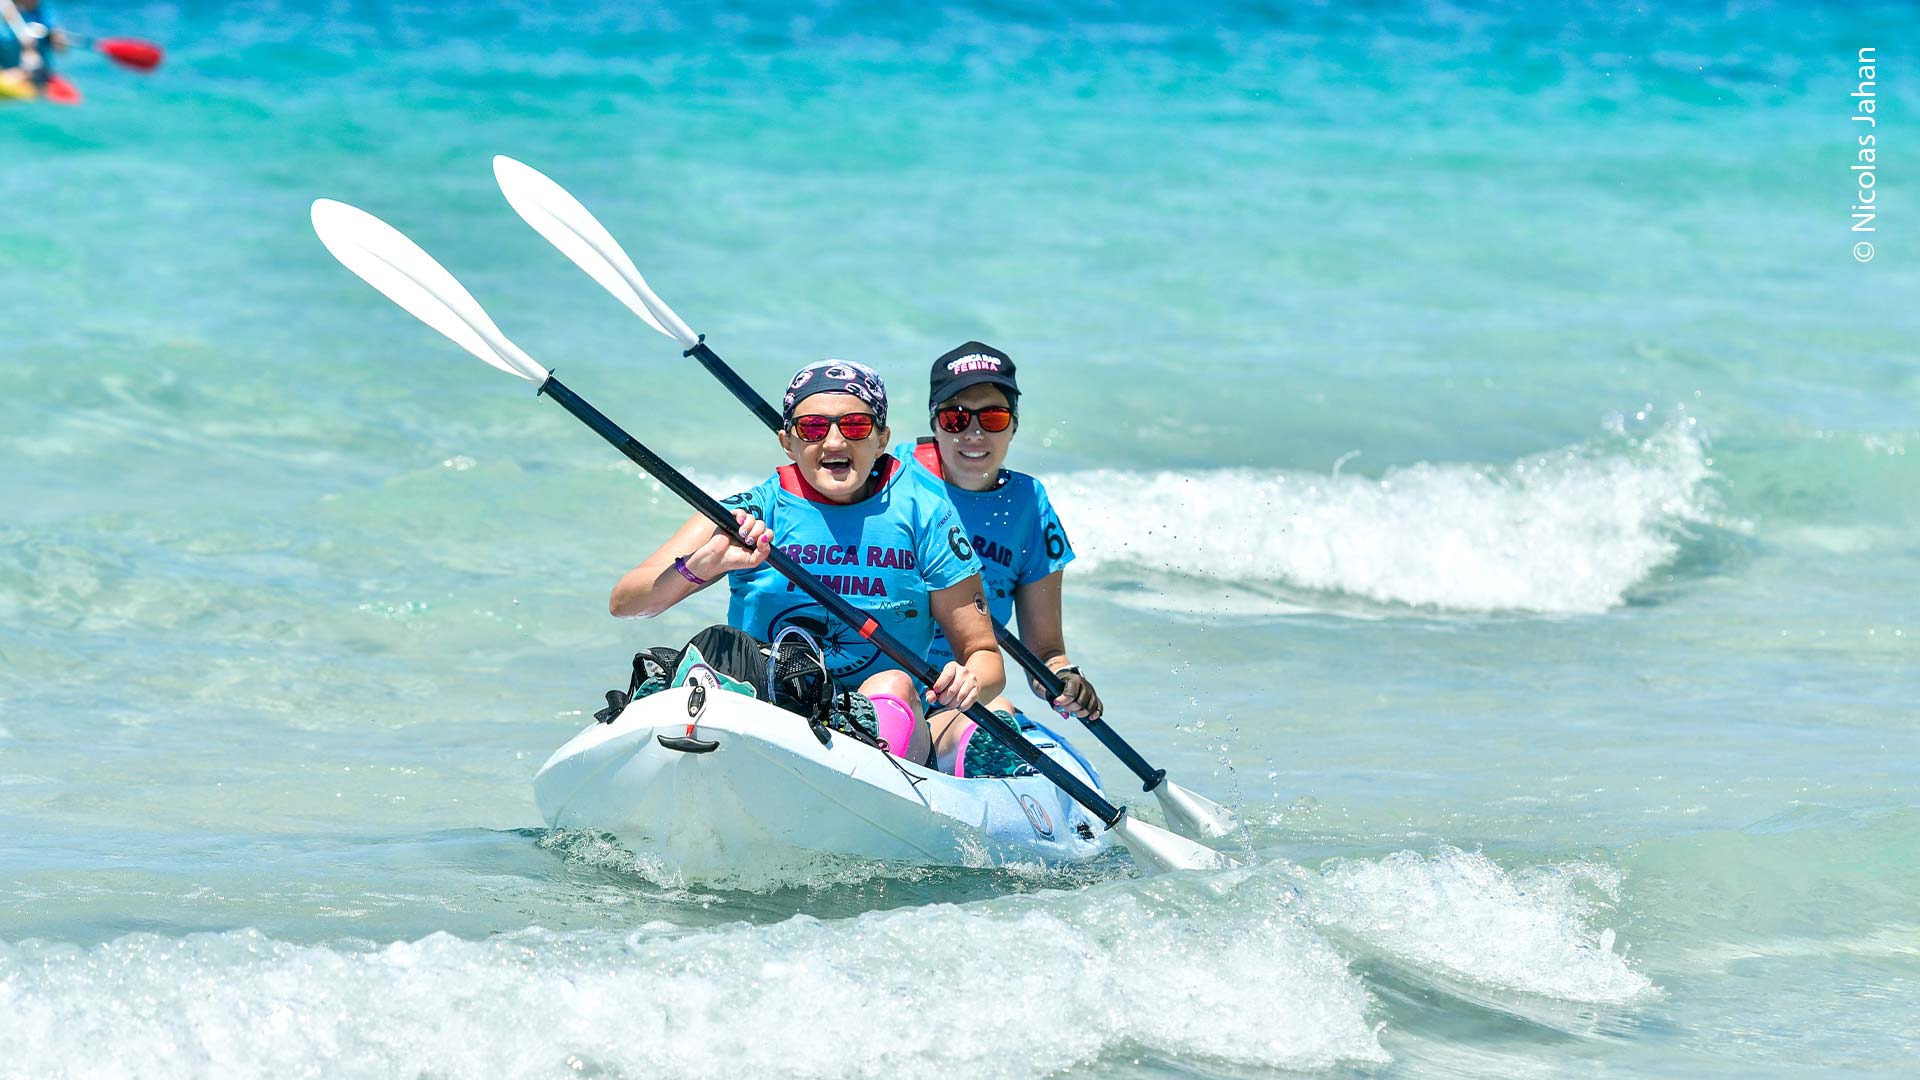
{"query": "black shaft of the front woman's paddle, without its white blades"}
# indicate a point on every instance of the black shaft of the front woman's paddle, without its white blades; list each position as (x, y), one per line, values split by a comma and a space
(800, 576)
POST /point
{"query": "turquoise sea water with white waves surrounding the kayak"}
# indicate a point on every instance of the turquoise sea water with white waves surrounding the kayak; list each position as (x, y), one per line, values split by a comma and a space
(1489, 462)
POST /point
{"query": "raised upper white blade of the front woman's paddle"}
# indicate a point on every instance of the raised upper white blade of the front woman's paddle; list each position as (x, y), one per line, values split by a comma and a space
(398, 268)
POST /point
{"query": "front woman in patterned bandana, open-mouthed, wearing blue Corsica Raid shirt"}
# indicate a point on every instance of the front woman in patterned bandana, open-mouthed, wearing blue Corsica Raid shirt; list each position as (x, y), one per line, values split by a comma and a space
(863, 522)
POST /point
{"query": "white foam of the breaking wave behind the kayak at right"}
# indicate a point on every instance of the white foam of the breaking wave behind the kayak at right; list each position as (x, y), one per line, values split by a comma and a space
(1564, 533)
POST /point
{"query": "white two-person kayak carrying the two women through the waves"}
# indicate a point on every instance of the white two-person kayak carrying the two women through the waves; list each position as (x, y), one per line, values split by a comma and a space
(773, 795)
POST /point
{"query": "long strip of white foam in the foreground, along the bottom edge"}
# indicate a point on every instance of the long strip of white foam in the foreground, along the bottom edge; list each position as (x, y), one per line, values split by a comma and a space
(1017, 987)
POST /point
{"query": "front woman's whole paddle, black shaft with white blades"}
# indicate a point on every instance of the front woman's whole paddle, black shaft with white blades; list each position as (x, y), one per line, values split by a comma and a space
(410, 278)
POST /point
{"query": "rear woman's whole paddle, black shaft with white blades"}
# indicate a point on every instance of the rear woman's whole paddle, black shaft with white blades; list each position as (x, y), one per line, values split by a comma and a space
(581, 237)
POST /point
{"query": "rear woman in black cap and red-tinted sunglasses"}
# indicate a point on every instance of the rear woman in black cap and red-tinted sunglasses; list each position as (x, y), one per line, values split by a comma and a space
(1015, 531)
